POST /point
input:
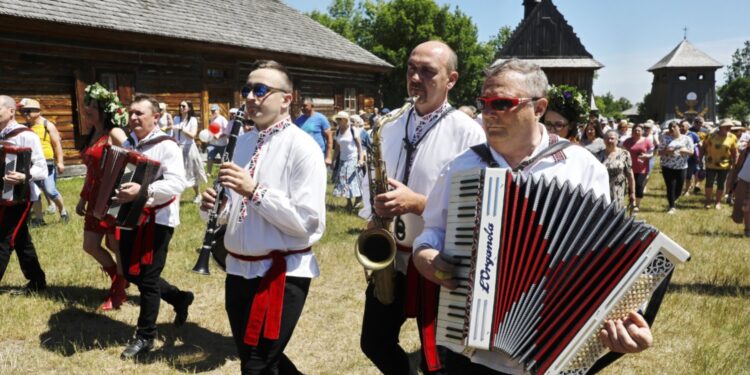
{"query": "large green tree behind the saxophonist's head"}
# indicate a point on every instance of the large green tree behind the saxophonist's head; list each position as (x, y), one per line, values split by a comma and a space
(390, 30)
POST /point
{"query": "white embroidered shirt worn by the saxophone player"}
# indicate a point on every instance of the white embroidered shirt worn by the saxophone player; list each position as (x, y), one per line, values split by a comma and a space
(451, 135)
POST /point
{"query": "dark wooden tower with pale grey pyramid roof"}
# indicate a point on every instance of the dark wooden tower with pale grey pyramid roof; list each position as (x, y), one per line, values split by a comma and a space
(684, 84)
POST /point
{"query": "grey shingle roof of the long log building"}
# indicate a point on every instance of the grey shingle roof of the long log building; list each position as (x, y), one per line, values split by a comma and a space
(267, 25)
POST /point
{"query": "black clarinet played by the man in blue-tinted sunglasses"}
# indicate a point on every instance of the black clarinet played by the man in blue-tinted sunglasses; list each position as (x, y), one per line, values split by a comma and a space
(214, 231)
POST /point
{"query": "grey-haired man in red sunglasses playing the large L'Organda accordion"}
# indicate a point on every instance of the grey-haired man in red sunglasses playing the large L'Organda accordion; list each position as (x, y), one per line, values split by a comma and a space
(513, 101)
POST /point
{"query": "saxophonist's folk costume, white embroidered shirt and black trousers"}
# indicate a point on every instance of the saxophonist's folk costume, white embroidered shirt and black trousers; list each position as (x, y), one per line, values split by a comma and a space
(436, 138)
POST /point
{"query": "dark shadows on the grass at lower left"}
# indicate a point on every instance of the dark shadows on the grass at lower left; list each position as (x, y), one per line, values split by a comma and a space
(76, 330)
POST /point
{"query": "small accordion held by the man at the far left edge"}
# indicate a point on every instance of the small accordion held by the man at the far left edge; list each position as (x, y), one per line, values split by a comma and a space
(15, 159)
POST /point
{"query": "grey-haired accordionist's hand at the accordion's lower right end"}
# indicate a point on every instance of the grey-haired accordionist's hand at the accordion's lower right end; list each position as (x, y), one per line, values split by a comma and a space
(629, 335)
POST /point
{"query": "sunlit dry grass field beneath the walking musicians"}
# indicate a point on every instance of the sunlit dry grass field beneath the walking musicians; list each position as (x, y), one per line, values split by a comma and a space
(703, 326)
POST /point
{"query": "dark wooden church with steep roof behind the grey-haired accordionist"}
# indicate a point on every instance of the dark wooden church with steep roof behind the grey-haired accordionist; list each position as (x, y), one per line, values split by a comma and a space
(545, 38)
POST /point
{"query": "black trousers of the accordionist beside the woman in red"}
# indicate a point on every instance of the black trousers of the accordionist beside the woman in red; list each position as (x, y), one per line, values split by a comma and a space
(150, 284)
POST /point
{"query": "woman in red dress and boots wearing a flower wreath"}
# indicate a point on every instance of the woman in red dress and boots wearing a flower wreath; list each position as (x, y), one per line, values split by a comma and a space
(104, 117)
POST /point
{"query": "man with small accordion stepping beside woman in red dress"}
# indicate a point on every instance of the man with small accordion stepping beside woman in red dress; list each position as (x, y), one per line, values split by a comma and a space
(144, 249)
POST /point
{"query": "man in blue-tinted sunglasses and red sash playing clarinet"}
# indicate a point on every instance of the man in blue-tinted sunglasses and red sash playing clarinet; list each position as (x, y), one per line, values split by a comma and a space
(274, 213)
